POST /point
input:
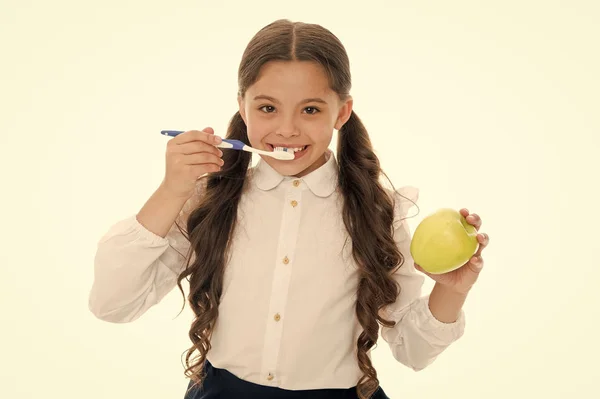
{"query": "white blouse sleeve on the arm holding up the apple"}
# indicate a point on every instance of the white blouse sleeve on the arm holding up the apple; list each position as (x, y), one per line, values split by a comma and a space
(418, 337)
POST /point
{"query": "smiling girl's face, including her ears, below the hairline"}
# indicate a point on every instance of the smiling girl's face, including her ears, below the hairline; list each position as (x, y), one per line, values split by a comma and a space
(277, 113)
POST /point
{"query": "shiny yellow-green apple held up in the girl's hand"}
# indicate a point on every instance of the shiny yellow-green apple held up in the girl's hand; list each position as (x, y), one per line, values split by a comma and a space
(443, 241)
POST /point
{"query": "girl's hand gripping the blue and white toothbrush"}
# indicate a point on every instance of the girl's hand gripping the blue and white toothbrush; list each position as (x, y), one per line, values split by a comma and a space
(189, 156)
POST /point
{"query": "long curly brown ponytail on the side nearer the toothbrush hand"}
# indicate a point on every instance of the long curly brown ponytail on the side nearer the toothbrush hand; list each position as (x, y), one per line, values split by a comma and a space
(211, 226)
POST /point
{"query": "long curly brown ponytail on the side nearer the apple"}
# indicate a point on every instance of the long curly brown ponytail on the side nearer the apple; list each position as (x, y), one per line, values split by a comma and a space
(368, 215)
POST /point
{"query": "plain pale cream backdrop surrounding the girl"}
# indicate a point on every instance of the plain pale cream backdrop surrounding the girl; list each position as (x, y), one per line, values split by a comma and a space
(491, 106)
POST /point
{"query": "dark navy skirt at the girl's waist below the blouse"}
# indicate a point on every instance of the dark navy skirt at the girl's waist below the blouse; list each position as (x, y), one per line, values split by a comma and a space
(221, 384)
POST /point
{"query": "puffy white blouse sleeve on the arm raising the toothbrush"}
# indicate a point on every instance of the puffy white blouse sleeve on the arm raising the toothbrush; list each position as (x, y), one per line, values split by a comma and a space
(134, 269)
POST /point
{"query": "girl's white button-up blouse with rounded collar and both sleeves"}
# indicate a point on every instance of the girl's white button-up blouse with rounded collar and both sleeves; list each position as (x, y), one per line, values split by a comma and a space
(287, 315)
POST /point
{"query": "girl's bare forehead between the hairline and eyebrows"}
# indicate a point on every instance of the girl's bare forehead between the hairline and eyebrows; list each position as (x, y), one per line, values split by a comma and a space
(291, 78)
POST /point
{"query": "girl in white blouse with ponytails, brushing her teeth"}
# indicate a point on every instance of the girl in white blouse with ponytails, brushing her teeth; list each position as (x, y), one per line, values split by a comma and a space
(293, 266)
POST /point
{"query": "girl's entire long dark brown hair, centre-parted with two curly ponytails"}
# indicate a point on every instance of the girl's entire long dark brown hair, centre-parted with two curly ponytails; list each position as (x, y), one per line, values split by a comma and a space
(368, 210)
